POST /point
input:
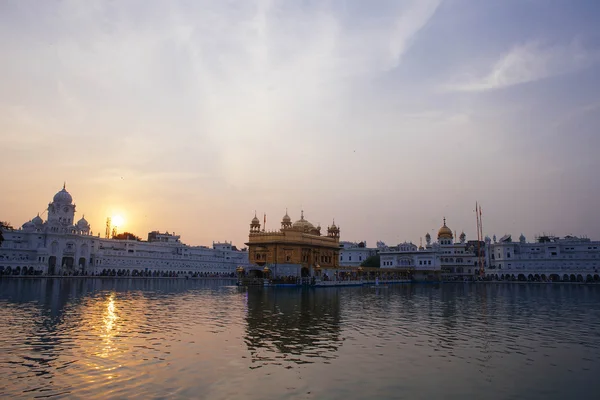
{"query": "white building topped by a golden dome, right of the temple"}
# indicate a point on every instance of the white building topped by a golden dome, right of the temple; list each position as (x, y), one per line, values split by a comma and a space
(443, 259)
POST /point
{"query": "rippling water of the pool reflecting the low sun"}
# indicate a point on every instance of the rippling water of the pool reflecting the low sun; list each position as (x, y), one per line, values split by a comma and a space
(71, 338)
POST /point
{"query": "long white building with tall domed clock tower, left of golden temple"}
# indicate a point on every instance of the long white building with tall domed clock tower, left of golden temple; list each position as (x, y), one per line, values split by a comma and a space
(60, 246)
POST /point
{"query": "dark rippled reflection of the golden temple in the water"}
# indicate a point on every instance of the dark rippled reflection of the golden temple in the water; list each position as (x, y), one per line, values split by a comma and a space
(296, 324)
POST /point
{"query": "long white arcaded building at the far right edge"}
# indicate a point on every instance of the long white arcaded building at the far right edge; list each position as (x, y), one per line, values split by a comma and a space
(550, 258)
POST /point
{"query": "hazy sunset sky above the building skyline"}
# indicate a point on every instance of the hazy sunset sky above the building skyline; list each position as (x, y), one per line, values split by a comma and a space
(388, 116)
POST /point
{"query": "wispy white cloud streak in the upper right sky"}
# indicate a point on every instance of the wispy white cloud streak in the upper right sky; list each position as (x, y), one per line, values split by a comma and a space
(530, 62)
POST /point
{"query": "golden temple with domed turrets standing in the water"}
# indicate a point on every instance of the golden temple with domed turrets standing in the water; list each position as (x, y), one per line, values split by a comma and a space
(294, 249)
